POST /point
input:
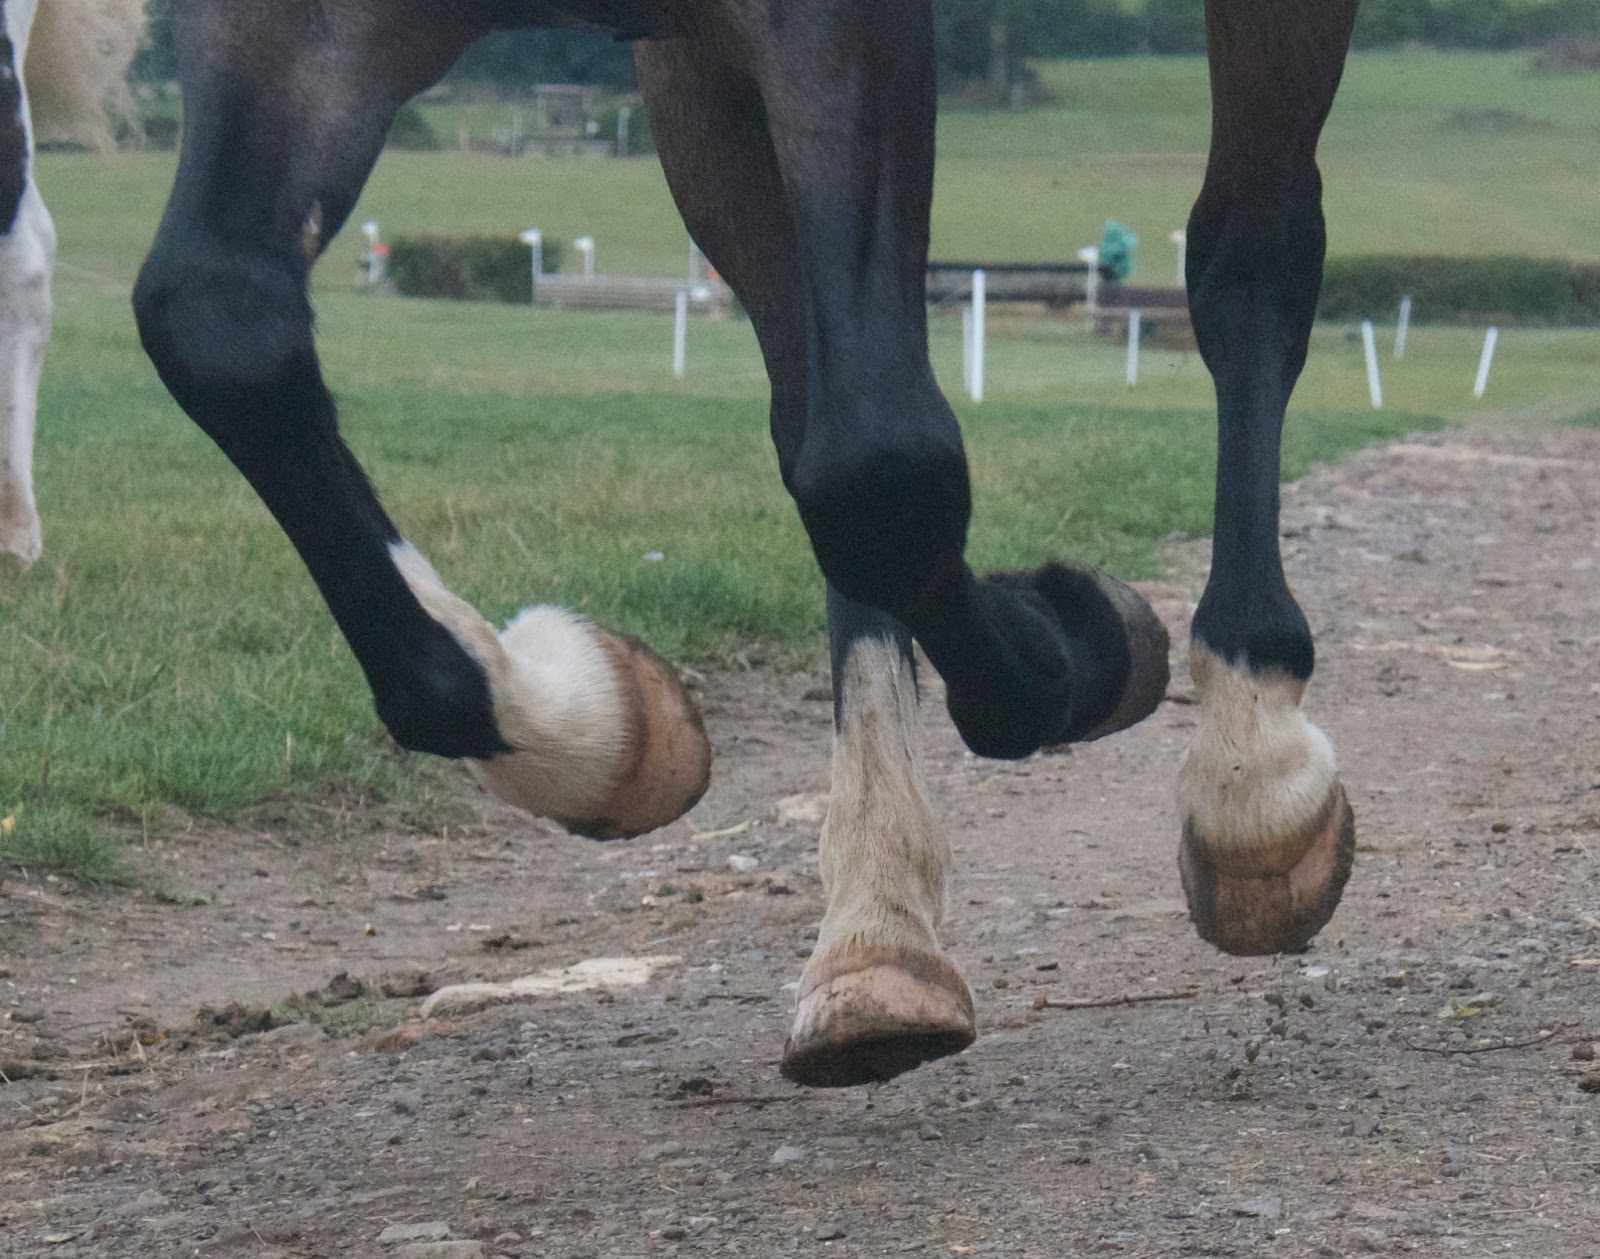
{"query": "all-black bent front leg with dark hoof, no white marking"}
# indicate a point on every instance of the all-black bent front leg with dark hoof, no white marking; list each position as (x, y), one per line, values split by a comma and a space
(874, 460)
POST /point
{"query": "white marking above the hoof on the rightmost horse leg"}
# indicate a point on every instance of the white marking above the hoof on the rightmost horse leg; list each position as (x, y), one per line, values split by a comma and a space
(1258, 773)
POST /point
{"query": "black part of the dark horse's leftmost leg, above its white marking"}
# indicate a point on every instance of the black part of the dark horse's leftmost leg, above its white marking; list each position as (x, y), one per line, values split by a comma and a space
(266, 177)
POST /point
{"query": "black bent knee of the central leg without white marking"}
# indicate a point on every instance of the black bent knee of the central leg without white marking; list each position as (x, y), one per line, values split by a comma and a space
(887, 521)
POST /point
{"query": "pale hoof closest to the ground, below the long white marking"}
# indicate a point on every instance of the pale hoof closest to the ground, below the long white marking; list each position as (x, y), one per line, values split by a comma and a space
(884, 1018)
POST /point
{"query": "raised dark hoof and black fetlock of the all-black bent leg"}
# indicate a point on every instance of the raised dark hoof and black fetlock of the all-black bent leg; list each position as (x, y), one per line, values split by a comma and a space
(1090, 661)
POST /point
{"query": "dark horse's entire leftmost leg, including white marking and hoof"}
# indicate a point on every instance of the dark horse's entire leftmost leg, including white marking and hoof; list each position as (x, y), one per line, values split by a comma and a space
(284, 124)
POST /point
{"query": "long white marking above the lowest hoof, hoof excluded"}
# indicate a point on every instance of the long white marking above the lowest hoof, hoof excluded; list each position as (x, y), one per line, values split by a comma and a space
(884, 857)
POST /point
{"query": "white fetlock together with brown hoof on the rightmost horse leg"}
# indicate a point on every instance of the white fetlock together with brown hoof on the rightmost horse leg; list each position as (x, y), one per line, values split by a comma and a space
(1268, 834)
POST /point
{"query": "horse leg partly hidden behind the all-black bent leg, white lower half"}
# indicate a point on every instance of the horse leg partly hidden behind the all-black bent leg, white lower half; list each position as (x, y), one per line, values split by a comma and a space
(878, 996)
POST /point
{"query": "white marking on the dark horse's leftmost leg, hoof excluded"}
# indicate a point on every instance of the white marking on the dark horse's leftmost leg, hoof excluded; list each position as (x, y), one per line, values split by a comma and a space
(558, 698)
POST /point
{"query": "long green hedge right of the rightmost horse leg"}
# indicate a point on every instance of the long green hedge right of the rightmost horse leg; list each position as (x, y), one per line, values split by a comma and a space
(1463, 290)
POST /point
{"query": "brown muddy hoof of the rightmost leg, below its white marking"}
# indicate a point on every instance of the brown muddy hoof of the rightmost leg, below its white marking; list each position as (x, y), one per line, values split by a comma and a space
(1260, 901)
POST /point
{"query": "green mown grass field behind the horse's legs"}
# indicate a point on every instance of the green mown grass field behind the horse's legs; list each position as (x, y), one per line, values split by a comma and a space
(169, 657)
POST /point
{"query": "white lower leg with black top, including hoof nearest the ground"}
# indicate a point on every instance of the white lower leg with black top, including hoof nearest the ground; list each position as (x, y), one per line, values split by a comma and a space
(879, 996)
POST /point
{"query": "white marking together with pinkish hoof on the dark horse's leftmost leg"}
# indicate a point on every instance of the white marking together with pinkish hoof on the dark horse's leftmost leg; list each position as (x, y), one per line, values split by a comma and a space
(596, 732)
